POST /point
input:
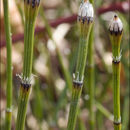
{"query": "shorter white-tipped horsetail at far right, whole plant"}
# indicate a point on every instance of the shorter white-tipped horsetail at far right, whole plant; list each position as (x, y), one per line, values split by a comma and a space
(116, 30)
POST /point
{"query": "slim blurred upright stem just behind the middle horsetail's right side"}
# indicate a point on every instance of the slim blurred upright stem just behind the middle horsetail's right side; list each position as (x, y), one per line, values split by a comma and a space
(90, 80)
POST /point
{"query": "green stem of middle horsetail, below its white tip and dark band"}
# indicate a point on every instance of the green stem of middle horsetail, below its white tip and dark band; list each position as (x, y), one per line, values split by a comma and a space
(79, 74)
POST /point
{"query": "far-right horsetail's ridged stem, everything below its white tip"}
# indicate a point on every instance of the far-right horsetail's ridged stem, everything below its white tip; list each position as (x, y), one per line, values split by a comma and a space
(116, 65)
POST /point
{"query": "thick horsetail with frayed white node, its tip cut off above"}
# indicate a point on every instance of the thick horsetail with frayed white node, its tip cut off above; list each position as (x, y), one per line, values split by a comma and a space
(30, 11)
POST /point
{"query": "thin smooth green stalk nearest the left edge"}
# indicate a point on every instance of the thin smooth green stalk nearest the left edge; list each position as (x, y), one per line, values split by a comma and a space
(9, 66)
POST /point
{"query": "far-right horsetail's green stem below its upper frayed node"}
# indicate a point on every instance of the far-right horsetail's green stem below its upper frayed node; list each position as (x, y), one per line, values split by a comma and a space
(116, 85)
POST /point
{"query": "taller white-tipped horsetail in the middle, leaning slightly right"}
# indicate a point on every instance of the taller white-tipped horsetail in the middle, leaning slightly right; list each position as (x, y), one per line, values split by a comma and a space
(85, 21)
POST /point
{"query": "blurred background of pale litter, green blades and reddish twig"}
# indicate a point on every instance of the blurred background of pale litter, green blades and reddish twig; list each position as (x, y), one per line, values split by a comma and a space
(50, 97)
